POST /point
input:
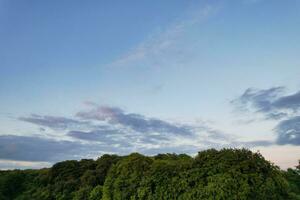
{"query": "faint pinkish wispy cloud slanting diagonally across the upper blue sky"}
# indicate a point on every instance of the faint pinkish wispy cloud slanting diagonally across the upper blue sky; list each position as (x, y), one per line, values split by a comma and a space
(165, 46)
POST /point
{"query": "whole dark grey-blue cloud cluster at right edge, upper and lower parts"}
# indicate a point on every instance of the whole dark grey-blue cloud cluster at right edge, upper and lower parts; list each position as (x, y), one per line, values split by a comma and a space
(274, 104)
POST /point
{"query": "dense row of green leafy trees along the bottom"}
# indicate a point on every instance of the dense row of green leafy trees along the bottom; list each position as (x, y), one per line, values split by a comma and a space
(225, 174)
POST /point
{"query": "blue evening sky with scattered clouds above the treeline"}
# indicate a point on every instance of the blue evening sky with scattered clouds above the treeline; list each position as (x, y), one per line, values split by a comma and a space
(81, 79)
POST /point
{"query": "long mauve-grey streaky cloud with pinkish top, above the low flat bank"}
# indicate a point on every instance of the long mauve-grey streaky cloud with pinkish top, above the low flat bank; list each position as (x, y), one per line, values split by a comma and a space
(120, 129)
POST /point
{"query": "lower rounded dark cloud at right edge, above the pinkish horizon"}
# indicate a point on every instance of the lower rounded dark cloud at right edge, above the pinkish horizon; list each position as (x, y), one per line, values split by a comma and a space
(289, 131)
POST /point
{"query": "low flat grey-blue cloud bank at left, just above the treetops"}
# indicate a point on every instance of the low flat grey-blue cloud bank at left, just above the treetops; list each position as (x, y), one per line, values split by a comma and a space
(37, 149)
